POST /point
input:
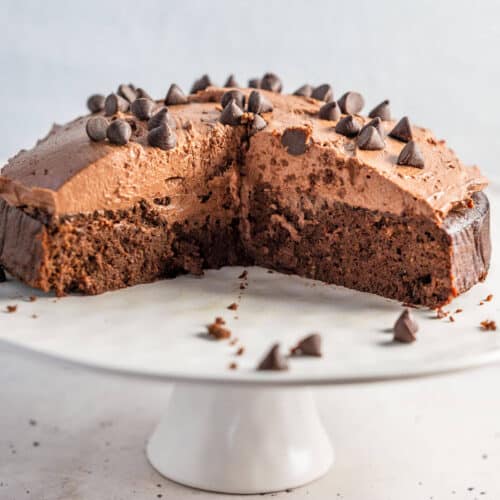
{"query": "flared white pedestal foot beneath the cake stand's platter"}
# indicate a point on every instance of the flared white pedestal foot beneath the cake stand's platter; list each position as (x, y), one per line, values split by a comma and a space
(240, 439)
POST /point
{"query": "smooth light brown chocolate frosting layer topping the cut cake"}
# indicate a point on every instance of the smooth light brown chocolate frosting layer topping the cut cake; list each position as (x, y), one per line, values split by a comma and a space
(299, 146)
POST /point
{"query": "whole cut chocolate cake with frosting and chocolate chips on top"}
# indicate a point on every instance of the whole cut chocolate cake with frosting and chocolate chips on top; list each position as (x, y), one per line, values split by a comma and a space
(141, 190)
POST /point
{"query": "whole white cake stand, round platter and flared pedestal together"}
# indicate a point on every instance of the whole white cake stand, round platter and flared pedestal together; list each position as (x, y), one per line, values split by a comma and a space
(240, 430)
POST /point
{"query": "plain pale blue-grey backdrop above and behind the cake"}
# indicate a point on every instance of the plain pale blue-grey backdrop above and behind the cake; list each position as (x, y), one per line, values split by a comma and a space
(436, 60)
